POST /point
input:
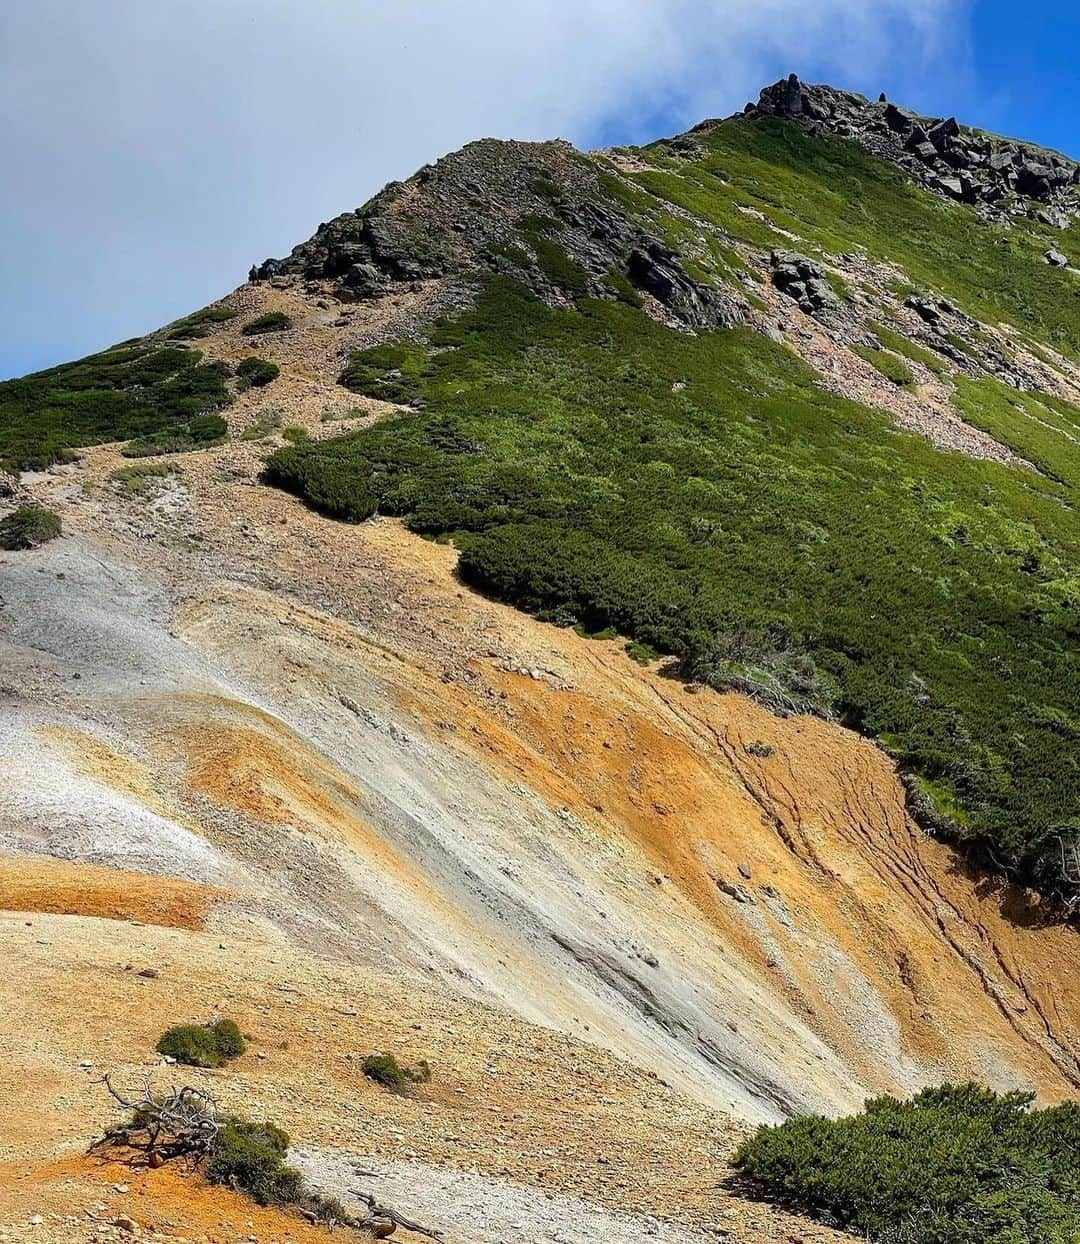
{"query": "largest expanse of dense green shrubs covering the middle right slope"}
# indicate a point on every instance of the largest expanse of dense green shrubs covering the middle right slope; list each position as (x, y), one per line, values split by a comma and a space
(704, 496)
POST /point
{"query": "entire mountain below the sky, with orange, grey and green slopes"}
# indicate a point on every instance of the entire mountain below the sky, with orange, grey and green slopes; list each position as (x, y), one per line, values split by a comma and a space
(549, 713)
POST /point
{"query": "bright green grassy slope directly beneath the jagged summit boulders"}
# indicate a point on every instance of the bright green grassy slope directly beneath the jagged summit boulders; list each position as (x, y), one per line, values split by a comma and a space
(832, 193)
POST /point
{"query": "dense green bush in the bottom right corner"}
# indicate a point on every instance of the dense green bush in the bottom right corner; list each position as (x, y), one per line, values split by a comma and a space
(956, 1165)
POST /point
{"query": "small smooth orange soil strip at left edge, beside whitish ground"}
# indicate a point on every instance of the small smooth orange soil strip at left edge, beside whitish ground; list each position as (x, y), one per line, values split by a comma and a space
(64, 889)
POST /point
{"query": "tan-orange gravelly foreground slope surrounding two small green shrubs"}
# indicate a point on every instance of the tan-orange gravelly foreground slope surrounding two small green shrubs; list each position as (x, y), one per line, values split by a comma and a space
(508, 1099)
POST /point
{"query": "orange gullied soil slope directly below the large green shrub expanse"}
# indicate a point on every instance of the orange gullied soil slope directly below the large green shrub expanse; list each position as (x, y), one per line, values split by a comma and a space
(970, 970)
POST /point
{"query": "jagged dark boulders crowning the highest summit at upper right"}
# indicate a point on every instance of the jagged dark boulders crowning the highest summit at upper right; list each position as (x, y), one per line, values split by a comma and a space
(996, 175)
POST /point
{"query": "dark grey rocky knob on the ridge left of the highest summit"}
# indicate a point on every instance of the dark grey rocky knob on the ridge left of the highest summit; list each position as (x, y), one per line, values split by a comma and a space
(496, 207)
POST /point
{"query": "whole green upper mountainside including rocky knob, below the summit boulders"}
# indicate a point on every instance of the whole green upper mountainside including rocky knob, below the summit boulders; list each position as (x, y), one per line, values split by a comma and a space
(687, 482)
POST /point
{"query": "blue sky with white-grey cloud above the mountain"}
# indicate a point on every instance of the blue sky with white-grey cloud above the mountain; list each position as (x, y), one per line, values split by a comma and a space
(152, 152)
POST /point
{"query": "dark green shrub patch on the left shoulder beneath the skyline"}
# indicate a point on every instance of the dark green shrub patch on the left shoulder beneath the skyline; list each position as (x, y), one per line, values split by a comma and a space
(130, 391)
